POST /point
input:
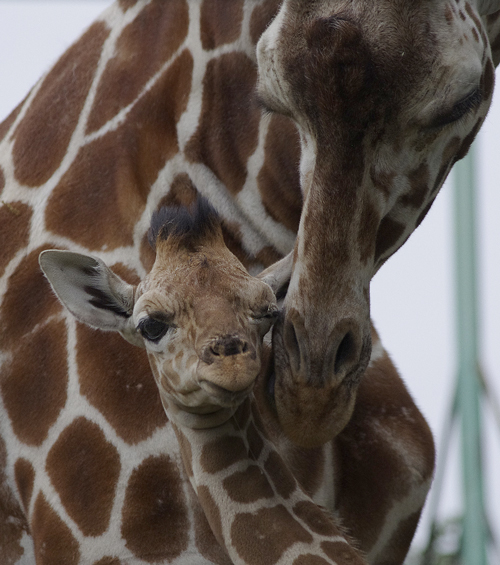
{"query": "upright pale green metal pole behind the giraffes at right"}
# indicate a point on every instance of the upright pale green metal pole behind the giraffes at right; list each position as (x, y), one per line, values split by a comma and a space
(469, 388)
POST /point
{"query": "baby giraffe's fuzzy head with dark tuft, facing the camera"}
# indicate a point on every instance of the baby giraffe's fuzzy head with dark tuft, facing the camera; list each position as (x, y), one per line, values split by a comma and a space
(200, 316)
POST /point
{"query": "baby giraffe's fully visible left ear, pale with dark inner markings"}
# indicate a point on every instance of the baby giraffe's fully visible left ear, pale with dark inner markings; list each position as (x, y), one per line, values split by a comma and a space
(89, 289)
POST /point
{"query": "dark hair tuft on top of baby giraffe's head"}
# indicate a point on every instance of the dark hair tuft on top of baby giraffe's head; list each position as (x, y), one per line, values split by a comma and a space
(188, 225)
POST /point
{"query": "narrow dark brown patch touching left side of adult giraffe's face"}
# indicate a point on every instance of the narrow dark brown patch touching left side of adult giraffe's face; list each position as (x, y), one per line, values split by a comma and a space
(278, 180)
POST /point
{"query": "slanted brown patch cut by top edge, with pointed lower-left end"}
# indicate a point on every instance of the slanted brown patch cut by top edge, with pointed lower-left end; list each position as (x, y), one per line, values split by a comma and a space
(143, 47)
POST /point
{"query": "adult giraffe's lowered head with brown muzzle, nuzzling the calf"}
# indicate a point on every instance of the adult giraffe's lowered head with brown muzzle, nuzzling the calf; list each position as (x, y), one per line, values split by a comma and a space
(387, 95)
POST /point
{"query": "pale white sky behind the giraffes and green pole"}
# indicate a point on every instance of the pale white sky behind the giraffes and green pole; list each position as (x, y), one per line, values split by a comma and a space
(412, 296)
